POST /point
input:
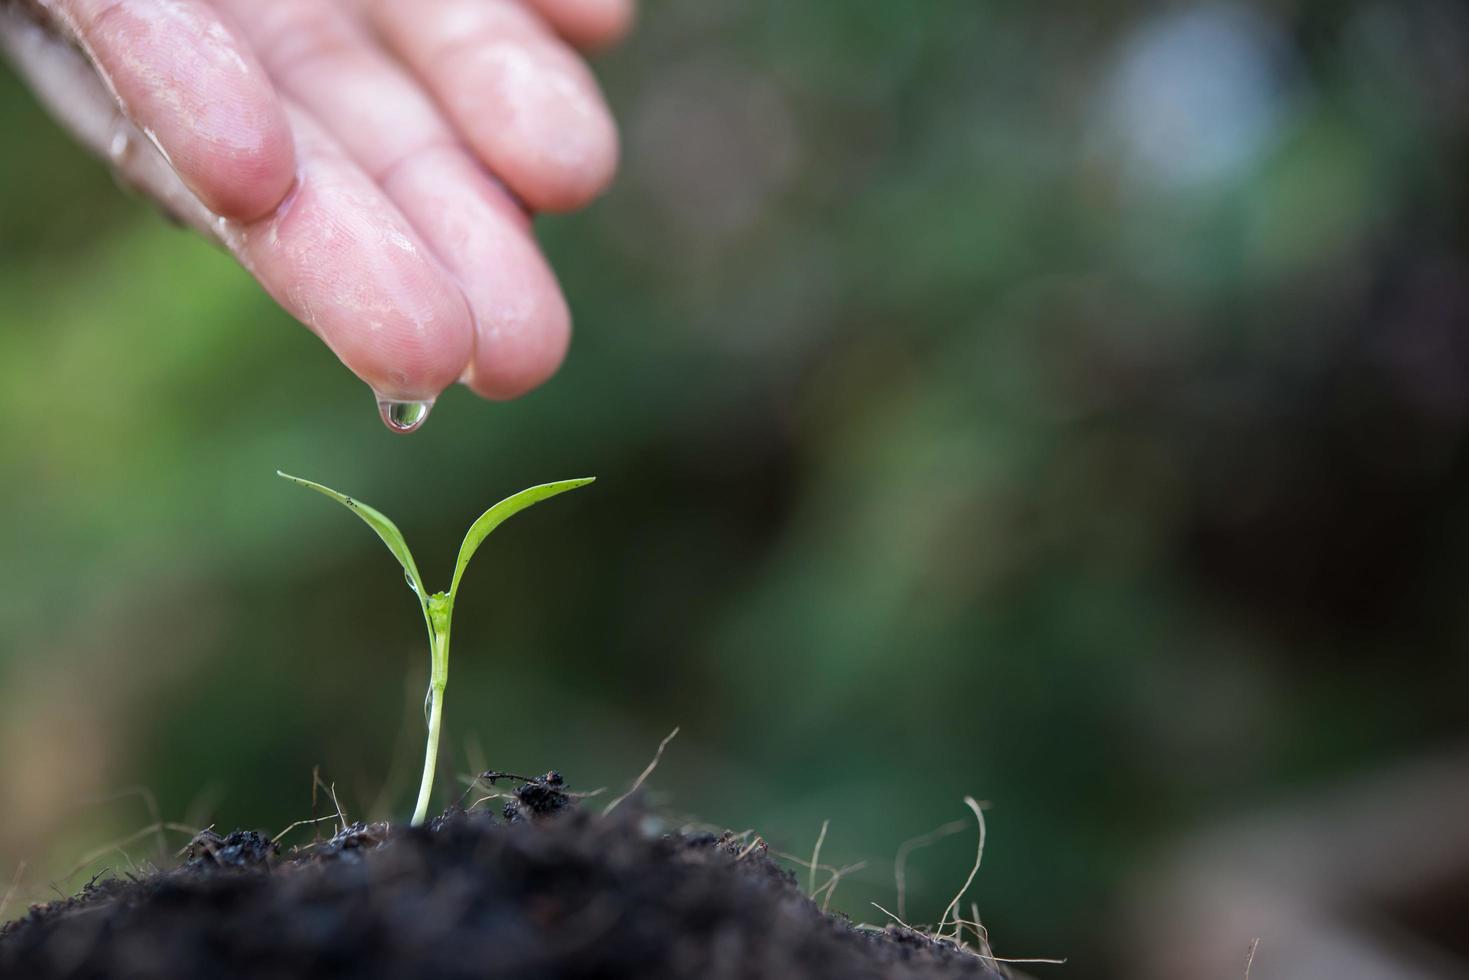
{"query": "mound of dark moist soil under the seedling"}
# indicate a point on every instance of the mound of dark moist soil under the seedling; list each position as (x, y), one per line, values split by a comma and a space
(547, 890)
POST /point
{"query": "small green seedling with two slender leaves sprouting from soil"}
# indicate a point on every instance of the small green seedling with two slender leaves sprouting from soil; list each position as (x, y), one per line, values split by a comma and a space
(438, 609)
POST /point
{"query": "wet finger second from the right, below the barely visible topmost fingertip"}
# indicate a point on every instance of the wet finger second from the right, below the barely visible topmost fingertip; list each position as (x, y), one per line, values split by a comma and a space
(519, 96)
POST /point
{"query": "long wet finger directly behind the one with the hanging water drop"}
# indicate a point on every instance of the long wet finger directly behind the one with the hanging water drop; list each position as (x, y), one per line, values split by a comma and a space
(324, 61)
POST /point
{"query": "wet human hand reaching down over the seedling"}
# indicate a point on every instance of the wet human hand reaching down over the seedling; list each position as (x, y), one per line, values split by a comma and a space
(374, 164)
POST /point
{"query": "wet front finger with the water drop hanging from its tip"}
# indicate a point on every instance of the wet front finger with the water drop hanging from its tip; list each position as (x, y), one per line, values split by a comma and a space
(344, 261)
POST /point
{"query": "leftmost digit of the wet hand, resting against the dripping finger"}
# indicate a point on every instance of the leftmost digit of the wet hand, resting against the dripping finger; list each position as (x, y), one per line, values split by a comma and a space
(189, 82)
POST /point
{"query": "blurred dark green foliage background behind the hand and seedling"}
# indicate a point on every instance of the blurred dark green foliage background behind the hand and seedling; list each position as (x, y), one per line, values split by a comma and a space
(1060, 405)
